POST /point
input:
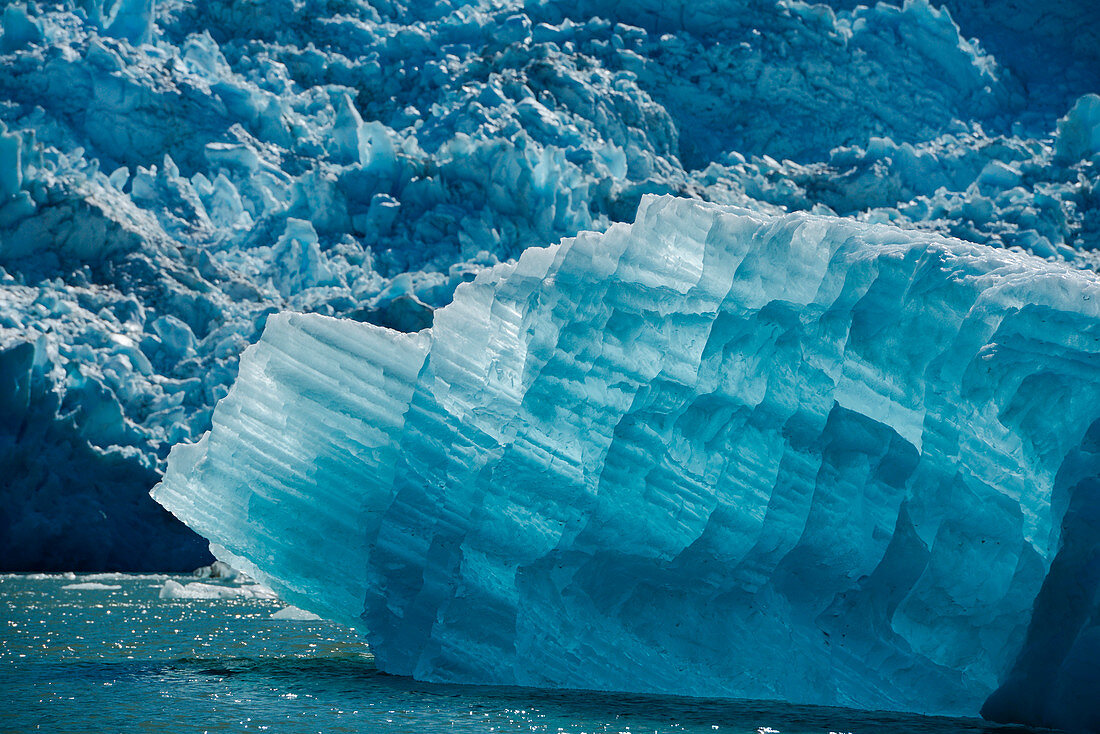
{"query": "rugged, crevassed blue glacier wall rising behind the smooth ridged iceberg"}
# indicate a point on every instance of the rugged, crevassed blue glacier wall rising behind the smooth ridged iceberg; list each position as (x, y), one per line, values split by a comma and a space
(172, 173)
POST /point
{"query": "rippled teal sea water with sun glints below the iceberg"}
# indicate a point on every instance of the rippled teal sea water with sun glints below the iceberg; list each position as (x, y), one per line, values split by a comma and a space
(105, 653)
